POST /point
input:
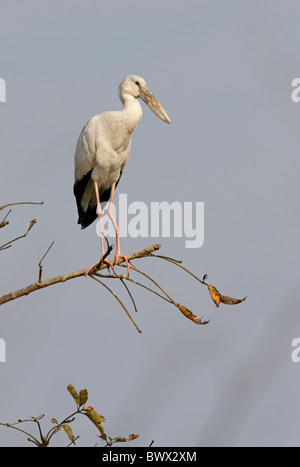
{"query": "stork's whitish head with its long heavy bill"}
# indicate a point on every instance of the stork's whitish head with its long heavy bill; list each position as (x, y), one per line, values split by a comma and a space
(136, 86)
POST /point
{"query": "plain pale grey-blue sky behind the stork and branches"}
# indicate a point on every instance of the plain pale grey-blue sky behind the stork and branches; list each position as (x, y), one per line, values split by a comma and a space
(223, 71)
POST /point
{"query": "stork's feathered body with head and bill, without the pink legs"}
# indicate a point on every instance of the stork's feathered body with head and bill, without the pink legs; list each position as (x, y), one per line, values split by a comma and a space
(104, 144)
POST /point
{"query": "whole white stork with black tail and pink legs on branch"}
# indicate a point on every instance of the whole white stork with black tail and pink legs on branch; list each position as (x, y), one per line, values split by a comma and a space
(101, 154)
